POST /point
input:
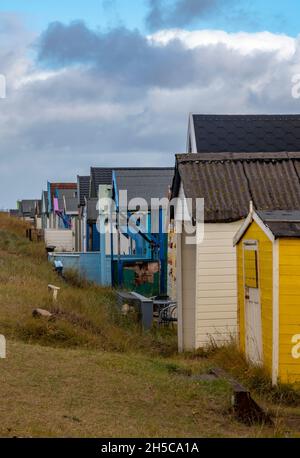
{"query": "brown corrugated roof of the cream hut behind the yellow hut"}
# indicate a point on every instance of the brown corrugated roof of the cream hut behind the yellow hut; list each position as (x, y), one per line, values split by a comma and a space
(228, 182)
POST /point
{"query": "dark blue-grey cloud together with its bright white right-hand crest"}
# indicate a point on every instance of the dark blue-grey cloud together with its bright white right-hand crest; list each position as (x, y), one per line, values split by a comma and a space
(128, 58)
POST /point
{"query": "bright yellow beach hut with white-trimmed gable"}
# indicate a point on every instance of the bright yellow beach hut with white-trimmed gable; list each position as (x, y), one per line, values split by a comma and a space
(268, 266)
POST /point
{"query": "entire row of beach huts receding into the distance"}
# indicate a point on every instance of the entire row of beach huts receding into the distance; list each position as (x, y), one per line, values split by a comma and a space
(239, 275)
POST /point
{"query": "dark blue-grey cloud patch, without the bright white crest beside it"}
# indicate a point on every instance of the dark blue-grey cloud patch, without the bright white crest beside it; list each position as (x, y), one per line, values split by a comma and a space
(122, 54)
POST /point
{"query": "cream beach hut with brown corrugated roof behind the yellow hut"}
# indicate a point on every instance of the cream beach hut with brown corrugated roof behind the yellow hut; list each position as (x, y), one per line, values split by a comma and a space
(206, 287)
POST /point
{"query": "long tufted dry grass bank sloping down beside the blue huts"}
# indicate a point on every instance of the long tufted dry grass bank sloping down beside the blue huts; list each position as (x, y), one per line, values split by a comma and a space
(86, 315)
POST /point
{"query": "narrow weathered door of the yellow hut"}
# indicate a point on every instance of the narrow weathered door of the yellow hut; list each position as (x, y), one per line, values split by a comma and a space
(253, 328)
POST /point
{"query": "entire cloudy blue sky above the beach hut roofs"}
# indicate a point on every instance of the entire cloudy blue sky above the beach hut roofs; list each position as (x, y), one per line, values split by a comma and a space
(111, 82)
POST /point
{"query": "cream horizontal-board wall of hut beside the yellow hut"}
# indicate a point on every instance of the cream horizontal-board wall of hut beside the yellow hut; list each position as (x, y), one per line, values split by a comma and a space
(216, 285)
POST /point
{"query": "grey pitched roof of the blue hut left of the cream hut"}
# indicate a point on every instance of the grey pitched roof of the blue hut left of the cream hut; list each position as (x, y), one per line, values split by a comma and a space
(146, 183)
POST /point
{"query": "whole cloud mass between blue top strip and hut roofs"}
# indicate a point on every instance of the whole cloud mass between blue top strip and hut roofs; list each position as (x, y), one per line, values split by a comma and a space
(90, 97)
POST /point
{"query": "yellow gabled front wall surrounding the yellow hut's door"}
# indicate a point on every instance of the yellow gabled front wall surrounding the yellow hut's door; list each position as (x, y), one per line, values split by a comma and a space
(265, 280)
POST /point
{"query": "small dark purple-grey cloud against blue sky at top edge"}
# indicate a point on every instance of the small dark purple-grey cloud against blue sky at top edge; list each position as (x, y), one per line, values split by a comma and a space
(179, 13)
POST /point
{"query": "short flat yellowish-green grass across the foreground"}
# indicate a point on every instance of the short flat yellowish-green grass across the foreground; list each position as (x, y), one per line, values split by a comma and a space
(49, 392)
